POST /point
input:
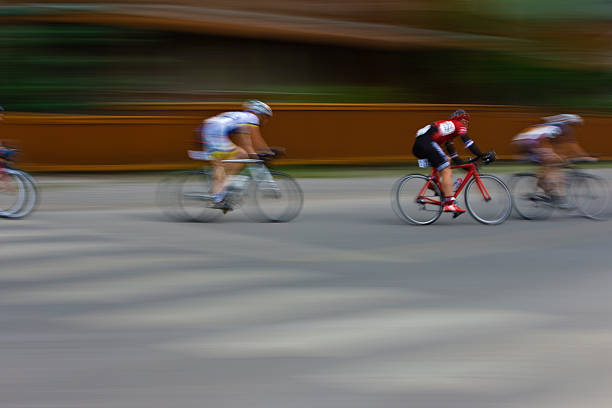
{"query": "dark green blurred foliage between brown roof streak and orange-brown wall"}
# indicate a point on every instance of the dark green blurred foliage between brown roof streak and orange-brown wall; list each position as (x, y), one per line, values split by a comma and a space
(65, 67)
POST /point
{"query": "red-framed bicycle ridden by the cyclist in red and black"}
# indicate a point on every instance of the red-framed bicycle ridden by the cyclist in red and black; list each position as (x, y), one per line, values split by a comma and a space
(417, 198)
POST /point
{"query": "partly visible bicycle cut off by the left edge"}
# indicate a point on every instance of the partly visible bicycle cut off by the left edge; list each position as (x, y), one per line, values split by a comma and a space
(18, 190)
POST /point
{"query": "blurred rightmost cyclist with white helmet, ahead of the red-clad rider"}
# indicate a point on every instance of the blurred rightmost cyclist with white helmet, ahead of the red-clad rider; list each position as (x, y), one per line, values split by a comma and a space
(551, 144)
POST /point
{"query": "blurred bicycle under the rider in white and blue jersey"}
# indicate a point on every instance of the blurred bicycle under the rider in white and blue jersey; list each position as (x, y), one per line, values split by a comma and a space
(274, 196)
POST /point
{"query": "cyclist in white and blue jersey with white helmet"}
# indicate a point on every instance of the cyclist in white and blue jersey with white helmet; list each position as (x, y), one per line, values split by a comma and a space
(234, 135)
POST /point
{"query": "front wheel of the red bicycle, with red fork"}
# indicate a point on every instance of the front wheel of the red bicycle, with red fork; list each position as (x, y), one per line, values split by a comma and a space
(491, 210)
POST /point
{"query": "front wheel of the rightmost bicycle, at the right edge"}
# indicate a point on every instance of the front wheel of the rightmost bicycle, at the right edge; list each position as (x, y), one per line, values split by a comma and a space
(590, 195)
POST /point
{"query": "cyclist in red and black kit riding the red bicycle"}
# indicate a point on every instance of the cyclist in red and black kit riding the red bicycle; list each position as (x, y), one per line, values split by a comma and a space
(427, 146)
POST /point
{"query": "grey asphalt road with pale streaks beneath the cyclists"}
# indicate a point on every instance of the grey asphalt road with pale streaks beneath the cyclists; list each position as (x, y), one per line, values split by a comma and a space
(105, 303)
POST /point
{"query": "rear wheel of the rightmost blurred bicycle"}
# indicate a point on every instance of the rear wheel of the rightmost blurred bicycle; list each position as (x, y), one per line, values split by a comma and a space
(529, 200)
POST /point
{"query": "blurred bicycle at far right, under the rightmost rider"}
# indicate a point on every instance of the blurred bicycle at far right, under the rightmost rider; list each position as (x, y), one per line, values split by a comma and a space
(587, 194)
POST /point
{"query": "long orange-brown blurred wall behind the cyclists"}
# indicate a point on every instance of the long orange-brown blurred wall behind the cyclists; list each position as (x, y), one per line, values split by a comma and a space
(157, 136)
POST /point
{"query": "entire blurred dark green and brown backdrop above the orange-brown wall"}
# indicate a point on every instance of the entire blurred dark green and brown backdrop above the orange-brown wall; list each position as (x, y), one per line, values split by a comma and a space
(74, 55)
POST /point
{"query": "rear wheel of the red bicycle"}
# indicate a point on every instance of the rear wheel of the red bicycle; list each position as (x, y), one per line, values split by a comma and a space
(412, 204)
